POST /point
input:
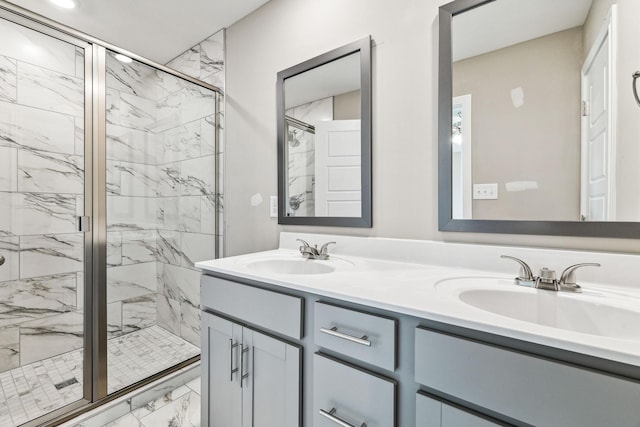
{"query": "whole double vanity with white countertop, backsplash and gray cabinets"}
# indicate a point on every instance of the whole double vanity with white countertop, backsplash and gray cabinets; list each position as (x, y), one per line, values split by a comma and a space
(435, 333)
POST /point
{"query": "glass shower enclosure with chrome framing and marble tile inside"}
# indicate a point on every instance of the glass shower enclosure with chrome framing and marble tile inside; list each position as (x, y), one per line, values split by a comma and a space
(107, 198)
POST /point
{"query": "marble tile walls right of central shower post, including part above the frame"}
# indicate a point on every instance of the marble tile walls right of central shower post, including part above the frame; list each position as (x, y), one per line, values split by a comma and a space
(161, 191)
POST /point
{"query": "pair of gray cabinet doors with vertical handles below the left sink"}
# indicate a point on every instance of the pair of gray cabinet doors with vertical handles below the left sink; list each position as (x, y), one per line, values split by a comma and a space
(253, 380)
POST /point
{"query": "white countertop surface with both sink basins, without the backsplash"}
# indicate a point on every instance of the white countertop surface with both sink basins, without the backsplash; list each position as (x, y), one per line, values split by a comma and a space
(476, 299)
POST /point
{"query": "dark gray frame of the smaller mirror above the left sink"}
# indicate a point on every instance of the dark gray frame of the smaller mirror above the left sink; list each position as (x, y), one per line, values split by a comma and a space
(365, 220)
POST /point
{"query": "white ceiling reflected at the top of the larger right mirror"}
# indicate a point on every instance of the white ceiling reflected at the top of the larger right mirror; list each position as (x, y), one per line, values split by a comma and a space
(505, 23)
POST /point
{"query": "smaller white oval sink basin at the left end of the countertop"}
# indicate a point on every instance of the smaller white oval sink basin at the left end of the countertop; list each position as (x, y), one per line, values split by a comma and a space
(297, 266)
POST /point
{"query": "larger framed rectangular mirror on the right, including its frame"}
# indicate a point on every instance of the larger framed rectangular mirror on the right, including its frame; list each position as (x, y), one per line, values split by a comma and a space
(537, 117)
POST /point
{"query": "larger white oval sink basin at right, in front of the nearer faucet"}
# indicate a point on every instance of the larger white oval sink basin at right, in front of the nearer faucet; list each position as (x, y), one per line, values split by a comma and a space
(593, 313)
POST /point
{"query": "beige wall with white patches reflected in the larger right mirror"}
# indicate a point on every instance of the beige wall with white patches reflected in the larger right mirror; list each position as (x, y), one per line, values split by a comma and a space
(509, 143)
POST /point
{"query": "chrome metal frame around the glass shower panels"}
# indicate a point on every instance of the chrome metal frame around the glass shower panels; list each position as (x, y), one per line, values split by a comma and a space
(95, 241)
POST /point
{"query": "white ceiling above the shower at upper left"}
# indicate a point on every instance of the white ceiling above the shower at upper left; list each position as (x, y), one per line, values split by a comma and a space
(158, 30)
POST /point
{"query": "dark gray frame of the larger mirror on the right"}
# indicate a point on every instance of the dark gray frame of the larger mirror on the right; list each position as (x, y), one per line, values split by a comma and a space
(445, 220)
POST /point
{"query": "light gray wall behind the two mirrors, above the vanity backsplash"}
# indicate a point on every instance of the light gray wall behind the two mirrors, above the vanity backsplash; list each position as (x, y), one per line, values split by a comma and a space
(281, 34)
